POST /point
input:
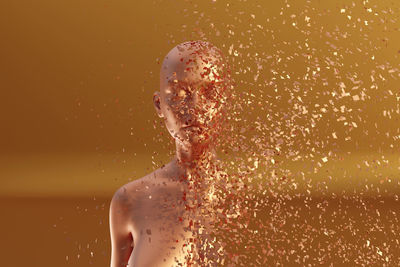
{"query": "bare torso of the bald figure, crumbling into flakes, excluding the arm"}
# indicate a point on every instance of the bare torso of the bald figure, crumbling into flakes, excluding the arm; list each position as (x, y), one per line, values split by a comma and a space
(158, 220)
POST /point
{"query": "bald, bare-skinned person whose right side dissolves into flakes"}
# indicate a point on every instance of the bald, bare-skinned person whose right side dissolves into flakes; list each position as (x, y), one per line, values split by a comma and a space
(154, 221)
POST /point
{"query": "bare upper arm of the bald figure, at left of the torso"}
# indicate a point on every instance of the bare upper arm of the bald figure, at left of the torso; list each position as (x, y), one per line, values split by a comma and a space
(121, 238)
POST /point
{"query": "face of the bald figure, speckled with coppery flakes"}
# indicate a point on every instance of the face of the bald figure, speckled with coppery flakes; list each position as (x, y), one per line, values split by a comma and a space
(191, 99)
